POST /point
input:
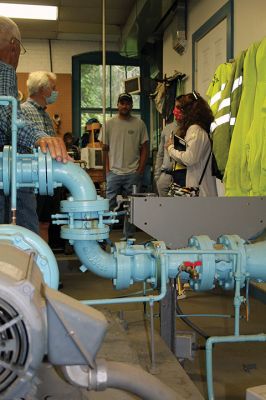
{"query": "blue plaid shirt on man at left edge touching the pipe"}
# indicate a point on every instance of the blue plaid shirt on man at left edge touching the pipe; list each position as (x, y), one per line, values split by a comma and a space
(27, 135)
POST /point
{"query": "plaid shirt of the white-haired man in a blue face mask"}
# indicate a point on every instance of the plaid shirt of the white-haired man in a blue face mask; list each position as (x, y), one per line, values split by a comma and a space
(32, 111)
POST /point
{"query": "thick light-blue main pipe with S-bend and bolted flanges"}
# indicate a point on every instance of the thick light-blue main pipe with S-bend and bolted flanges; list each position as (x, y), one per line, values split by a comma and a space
(86, 220)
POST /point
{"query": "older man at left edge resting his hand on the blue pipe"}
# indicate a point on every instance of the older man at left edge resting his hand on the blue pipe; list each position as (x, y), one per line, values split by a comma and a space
(28, 136)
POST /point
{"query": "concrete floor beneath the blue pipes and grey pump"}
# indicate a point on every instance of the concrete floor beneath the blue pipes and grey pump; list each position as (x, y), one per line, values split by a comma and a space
(236, 367)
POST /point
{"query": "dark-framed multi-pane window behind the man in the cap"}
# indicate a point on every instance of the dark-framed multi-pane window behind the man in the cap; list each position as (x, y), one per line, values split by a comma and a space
(87, 76)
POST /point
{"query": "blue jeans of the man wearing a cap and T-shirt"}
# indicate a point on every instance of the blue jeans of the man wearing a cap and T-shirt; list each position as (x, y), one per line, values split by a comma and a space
(122, 184)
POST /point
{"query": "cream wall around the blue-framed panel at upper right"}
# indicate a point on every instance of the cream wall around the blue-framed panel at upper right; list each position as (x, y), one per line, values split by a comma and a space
(249, 26)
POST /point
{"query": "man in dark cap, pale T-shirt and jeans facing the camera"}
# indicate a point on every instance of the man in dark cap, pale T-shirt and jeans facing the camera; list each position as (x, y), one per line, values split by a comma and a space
(126, 149)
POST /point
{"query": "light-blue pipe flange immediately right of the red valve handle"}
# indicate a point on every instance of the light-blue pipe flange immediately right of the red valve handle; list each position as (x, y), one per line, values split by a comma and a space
(205, 271)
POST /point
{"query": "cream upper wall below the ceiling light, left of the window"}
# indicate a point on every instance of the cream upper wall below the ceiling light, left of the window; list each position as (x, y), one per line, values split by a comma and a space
(38, 54)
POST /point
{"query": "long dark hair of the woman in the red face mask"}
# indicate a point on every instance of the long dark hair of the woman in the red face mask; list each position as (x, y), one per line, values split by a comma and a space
(195, 111)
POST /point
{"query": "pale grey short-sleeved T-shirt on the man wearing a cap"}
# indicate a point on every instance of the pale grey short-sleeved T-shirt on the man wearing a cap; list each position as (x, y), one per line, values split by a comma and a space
(124, 138)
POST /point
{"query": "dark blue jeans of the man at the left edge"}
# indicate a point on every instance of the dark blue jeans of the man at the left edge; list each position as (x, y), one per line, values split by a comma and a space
(26, 209)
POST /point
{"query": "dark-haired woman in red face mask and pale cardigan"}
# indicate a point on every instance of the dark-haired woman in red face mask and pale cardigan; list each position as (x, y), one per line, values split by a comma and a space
(195, 118)
